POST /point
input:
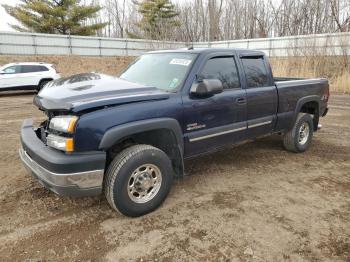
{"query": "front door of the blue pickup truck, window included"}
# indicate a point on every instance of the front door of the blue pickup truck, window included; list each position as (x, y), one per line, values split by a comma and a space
(219, 120)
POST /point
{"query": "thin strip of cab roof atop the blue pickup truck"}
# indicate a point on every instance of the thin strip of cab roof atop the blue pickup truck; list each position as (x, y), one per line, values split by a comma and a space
(239, 51)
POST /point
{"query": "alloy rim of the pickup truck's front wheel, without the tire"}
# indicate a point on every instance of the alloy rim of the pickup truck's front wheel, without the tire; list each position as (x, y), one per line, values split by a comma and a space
(144, 183)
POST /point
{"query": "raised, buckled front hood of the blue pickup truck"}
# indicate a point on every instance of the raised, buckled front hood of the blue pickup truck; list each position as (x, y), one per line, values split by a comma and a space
(90, 90)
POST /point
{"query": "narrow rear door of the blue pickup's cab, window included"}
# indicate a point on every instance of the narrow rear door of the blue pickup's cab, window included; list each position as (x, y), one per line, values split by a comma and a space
(262, 97)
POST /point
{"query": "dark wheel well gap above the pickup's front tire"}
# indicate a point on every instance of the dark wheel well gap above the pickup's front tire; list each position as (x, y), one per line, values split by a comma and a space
(164, 139)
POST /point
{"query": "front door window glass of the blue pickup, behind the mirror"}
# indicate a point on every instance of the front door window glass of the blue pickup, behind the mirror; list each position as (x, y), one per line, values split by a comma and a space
(224, 69)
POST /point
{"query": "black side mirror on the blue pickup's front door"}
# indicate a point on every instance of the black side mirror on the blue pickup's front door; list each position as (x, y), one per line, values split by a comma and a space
(207, 87)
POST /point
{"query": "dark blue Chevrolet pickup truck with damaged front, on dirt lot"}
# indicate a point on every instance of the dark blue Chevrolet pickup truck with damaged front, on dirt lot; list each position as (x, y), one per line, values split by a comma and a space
(127, 137)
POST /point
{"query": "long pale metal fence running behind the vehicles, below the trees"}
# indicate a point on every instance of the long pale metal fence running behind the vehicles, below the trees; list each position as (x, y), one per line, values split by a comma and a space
(13, 43)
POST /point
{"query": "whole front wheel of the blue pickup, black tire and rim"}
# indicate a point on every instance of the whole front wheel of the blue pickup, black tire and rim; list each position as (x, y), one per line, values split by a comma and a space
(123, 183)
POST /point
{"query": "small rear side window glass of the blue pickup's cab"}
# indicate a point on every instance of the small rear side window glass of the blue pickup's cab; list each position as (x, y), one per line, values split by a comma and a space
(255, 71)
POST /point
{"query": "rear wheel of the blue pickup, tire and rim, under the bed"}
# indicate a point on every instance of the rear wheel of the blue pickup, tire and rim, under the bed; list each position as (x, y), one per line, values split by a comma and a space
(297, 141)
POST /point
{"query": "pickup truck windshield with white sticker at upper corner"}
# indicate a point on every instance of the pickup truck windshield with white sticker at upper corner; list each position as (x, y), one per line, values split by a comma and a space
(165, 71)
